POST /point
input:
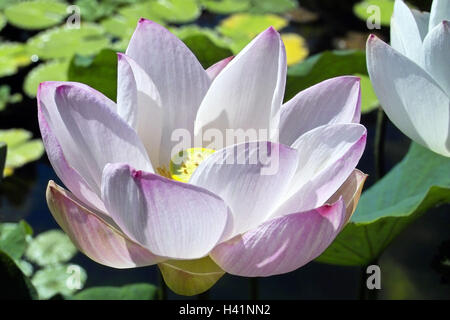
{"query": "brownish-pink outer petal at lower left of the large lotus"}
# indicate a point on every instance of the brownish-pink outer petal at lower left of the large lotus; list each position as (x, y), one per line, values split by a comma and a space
(93, 236)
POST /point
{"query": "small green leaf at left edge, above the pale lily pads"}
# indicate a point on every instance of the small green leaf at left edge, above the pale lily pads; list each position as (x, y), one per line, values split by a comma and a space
(13, 239)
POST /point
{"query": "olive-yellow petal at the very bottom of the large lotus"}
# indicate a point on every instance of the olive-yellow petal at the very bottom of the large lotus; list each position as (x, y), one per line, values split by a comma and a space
(190, 277)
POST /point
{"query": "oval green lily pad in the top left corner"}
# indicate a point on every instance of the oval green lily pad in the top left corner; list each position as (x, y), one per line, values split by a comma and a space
(38, 14)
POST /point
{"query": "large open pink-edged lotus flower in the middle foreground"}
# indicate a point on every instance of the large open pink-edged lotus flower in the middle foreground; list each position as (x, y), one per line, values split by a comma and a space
(228, 217)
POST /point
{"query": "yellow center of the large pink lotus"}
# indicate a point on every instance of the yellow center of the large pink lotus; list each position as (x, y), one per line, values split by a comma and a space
(184, 163)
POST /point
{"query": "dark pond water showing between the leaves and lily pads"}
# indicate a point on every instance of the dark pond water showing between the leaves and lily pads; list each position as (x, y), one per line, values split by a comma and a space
(407, 265)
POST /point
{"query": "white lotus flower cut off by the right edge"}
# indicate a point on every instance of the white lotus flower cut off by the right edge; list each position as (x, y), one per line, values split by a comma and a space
(412, 76)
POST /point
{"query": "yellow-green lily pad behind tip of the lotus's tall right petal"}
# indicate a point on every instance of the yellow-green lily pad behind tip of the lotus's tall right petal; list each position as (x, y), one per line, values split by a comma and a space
(241, 28)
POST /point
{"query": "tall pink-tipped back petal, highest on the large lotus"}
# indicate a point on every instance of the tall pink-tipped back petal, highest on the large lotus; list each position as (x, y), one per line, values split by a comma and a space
(179, 77)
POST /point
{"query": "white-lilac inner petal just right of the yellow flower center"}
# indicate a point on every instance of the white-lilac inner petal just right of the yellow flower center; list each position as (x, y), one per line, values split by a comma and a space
(251, 177)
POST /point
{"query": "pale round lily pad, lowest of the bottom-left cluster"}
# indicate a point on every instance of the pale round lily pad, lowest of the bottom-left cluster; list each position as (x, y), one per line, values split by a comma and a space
(59, 279)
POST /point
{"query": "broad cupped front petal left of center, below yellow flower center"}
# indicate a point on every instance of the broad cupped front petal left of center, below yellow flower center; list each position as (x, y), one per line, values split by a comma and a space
(170, 218)
